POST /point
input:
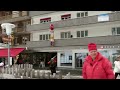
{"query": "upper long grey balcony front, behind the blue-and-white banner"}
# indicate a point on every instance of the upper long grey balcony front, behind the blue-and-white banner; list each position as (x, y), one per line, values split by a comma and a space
(73, 22)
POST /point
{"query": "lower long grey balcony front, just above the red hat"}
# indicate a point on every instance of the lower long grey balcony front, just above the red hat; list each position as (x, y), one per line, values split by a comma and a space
(103, 40)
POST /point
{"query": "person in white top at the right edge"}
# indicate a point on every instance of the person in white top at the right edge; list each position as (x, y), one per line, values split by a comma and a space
(117, 67)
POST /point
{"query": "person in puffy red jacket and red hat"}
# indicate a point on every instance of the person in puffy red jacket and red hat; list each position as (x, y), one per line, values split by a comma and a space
(96, 66)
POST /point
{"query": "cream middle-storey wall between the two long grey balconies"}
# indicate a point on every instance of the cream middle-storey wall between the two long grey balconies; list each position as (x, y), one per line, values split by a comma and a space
(94, 30)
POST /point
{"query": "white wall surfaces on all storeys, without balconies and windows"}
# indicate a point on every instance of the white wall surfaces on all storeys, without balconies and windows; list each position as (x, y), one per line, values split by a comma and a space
(99, 29)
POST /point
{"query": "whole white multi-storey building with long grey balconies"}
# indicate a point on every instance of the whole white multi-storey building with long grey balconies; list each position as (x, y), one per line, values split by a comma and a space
(73, 30)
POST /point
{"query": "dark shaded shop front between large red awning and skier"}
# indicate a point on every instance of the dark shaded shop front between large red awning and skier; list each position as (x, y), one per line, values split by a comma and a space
(39, 59)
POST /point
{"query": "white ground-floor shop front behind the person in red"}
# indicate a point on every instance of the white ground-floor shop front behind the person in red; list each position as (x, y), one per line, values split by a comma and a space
(76, 58)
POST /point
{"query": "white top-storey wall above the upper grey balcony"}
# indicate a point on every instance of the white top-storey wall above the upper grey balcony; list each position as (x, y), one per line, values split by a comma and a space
(56, 16)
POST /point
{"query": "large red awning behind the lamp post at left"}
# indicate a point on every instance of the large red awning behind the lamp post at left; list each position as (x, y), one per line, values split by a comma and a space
(13, 52)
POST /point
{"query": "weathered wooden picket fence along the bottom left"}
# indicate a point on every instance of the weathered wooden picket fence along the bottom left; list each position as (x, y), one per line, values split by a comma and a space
(26, 71)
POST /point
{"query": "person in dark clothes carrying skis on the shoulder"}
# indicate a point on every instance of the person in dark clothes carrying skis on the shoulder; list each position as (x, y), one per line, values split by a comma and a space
(53, 64)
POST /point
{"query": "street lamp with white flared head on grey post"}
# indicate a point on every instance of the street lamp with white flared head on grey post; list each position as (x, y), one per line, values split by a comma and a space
(8, 28)
